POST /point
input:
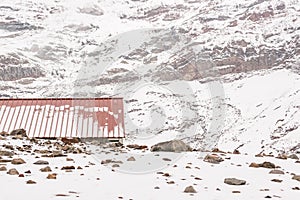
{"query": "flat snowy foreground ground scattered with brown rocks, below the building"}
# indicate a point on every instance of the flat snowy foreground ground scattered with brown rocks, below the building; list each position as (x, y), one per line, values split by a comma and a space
(102, 181)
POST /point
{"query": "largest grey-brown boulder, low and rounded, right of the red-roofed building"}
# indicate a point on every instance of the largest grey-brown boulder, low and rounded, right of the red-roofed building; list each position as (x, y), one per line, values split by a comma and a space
(171, 146)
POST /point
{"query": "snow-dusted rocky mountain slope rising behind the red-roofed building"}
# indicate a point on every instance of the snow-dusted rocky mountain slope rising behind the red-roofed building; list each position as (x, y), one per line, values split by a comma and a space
(220, 73)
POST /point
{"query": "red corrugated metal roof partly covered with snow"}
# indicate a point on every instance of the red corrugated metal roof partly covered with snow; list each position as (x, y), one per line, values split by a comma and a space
(64, 117)
